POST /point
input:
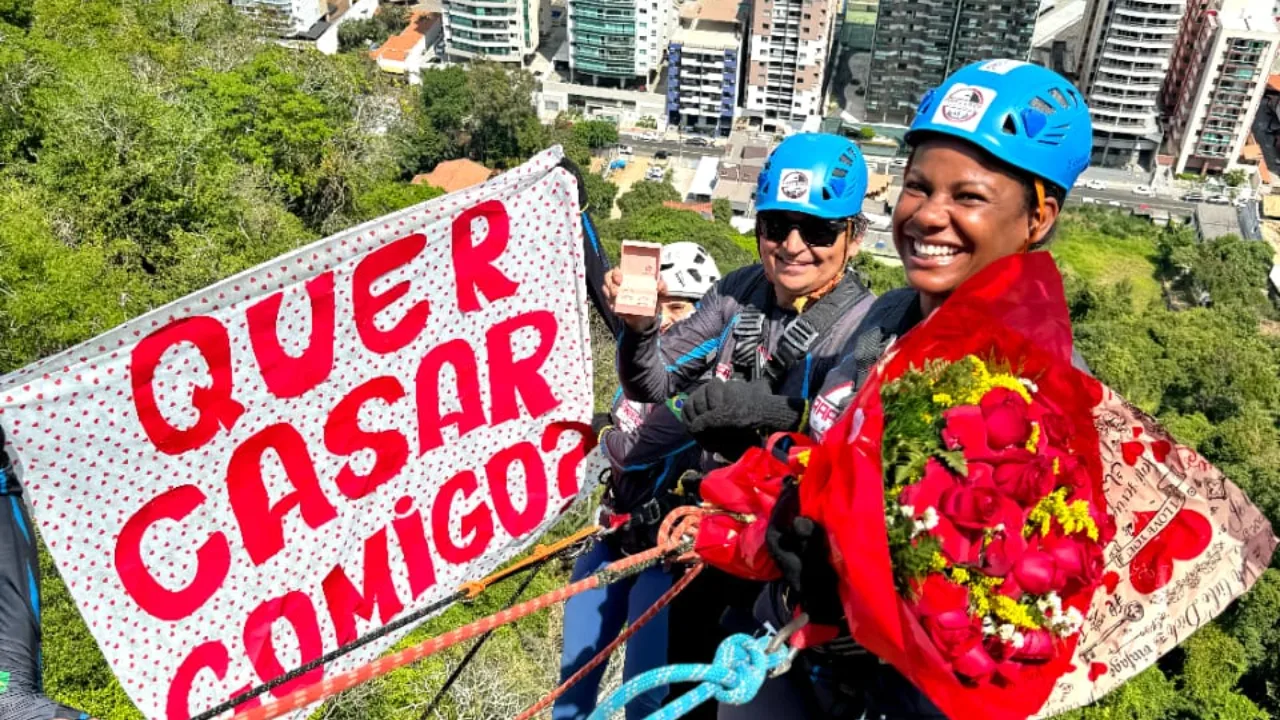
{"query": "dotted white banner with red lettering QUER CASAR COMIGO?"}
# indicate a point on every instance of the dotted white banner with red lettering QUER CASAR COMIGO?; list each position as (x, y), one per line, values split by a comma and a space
(282, 463)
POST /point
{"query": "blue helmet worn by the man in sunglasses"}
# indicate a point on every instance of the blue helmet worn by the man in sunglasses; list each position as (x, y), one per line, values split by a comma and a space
(816, 174)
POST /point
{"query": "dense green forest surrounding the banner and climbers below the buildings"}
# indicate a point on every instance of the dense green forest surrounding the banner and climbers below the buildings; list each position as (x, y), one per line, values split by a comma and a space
(152, 148)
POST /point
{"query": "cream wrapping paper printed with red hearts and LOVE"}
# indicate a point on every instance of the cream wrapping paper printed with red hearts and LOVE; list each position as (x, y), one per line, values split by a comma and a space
(1188, 543)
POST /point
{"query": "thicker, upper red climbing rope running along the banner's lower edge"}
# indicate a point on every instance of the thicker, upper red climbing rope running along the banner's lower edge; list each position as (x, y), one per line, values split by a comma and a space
(675, 540)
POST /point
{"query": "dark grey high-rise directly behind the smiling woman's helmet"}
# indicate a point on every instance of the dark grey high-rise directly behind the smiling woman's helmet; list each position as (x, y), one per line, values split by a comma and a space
(920, 43)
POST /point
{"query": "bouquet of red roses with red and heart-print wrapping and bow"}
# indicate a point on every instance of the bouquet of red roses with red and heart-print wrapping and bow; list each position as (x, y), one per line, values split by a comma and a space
(1011, 535)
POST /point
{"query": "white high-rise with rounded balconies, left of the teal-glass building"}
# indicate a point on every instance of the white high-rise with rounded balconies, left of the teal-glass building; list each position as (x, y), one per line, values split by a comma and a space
(504, 31)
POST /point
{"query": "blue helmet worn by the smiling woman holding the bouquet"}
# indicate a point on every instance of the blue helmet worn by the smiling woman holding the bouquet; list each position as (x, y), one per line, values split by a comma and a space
(1026, 116)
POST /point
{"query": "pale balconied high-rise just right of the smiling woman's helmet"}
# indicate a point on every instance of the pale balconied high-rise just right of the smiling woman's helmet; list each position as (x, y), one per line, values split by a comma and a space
(1128, 53)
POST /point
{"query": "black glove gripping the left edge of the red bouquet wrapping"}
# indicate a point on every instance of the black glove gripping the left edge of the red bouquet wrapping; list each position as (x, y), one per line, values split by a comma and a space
(799, 548)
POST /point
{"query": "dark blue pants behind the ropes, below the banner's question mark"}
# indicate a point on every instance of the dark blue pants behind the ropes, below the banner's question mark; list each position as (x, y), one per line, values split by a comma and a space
(595, 619)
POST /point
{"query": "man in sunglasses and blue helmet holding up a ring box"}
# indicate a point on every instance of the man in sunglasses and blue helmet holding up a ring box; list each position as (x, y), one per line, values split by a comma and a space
(767, 334)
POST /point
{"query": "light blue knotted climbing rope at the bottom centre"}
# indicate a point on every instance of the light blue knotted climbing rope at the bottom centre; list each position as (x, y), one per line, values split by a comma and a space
(734, 677)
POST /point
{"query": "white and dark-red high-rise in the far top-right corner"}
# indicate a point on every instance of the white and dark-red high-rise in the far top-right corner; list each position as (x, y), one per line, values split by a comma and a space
(1224, 57)
